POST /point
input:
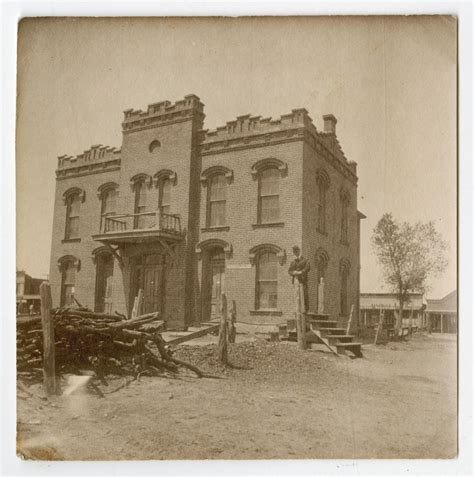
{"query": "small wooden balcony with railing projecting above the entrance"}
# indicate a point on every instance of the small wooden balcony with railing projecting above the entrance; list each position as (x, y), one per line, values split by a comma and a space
(138, 228)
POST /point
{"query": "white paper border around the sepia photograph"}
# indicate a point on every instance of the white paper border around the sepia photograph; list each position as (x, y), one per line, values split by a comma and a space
(462, 465)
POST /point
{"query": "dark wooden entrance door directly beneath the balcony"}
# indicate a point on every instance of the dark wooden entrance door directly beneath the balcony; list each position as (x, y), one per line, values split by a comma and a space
(148, 274)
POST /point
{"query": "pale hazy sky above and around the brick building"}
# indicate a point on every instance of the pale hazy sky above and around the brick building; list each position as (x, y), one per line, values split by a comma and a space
(390, 82)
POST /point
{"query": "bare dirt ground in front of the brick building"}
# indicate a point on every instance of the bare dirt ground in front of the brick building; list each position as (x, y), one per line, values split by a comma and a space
(399, 401)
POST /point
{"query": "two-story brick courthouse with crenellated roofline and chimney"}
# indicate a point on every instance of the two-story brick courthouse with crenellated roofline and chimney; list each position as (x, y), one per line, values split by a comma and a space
(185, 214)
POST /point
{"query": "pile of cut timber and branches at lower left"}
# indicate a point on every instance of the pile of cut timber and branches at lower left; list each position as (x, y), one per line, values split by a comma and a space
(104, 343)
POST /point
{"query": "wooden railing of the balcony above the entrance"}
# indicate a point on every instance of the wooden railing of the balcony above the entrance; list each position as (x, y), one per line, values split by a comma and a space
(144, 221)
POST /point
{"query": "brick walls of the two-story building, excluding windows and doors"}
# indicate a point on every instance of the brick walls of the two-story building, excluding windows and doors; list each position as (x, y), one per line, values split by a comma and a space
(190, 155)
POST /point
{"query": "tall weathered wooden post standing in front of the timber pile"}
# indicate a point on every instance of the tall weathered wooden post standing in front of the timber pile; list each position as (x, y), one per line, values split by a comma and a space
(49, 369)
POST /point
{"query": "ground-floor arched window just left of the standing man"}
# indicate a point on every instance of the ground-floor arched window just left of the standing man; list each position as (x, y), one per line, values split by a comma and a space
(266, 296)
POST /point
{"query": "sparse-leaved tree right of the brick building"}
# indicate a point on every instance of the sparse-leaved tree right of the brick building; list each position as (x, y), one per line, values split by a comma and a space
(410, 255)
